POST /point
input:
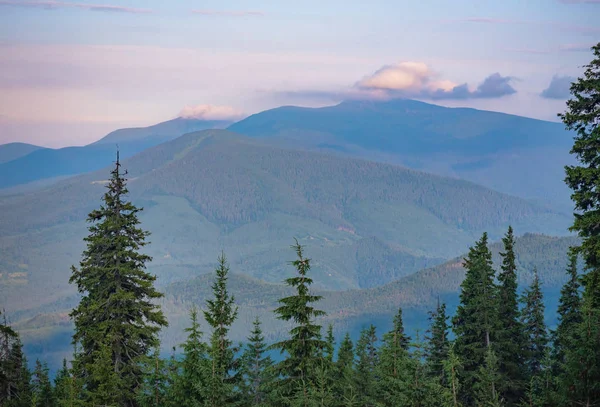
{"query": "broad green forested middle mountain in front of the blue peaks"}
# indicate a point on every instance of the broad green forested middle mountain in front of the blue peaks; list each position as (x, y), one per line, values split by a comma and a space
(215, 190)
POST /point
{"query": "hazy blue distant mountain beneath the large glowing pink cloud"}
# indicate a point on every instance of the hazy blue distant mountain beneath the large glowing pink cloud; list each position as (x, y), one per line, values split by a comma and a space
(512, 154)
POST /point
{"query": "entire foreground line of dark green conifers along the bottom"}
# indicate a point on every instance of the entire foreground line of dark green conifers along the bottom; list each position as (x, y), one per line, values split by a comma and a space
(494, 351)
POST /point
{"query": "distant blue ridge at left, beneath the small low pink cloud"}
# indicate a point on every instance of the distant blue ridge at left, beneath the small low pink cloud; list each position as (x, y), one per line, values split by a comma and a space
(49, 163)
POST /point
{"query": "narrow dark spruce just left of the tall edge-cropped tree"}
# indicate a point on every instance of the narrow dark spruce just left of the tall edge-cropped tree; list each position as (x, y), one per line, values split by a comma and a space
(569, 315)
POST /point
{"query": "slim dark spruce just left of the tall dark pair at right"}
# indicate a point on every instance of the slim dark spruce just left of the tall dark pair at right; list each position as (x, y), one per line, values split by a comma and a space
(438, 343)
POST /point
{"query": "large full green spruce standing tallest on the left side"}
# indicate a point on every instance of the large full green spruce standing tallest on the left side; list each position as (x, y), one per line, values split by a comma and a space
(117, 296)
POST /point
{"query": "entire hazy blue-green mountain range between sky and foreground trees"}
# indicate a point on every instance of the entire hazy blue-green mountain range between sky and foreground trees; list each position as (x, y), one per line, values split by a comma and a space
(382, 194)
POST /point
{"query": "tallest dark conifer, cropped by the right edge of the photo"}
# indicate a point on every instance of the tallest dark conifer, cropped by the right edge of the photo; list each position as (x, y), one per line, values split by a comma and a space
(582, 378)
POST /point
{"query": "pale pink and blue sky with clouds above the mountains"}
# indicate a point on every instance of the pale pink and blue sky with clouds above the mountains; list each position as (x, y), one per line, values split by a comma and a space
(72, 71)
